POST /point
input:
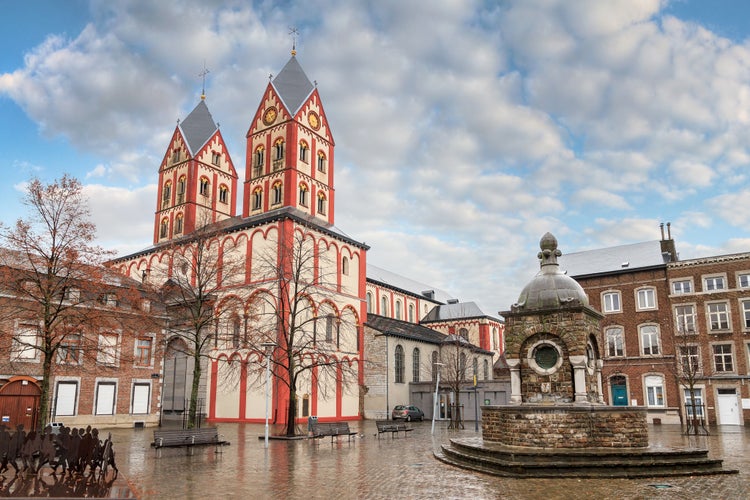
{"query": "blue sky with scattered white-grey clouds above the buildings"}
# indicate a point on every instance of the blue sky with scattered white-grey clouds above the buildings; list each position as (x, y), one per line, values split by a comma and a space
(464, 130)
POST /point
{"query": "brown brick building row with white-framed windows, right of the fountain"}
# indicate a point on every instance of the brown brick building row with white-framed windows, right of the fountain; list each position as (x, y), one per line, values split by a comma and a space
(662, 315)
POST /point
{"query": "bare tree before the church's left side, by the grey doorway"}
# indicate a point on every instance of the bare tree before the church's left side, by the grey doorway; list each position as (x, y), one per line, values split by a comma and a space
(199, 270)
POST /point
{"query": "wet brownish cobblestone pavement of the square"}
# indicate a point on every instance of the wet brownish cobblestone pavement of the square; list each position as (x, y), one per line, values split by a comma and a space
(401, 467)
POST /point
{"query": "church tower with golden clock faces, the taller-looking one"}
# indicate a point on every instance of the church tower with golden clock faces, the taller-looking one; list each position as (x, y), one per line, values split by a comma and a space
(289, 158)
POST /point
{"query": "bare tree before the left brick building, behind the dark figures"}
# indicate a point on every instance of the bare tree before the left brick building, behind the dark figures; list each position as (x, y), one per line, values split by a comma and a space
(58, 287)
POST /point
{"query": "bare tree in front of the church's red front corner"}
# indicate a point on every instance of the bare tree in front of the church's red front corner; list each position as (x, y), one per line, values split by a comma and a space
(307, 336)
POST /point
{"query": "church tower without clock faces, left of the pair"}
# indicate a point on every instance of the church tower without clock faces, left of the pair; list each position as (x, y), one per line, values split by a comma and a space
(197, 179)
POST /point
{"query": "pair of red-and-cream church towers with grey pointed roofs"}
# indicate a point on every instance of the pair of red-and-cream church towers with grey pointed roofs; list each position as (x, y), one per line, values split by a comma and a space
(288, 162)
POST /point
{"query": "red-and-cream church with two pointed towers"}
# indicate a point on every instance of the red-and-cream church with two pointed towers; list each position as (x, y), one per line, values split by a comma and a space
(283, 282)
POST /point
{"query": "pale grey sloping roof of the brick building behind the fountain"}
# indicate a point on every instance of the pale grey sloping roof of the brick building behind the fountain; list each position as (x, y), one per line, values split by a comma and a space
(618, 259)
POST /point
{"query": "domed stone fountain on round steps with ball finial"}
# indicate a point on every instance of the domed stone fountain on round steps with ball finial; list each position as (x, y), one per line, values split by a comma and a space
(557, 424)
